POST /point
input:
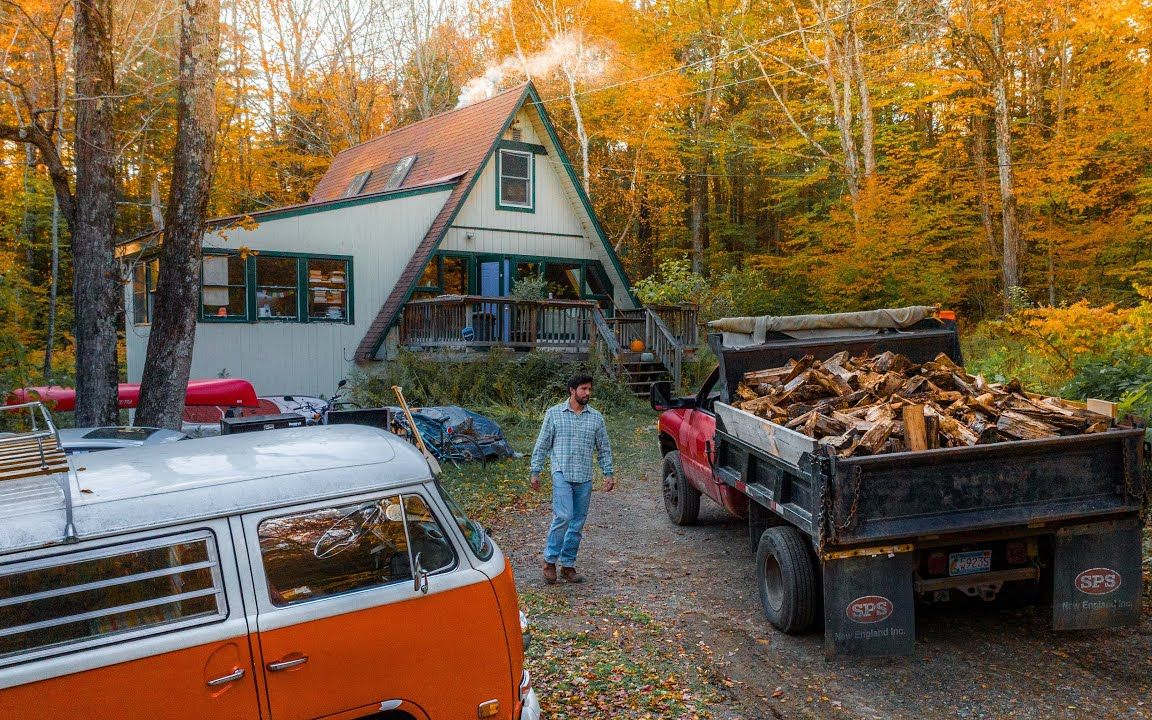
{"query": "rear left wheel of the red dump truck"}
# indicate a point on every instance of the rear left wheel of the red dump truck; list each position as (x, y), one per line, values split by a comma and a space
(786, 579)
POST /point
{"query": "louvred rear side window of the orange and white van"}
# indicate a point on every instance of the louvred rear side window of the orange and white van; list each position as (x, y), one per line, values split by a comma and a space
(56, 603)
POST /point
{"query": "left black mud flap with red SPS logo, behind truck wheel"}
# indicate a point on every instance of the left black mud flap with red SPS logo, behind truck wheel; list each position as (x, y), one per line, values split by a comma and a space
(869, 607)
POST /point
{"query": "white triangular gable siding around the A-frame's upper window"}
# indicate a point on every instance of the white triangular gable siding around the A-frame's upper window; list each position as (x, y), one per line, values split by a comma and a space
(559, 226)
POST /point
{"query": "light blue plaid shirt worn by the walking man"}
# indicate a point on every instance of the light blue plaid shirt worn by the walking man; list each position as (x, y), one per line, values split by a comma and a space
(570, 438)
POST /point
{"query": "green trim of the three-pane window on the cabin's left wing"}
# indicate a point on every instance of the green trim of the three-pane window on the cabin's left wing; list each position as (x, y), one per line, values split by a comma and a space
(310, 284)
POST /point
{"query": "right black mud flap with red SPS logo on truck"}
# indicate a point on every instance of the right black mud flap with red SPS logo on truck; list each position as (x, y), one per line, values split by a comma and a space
(1097, 580)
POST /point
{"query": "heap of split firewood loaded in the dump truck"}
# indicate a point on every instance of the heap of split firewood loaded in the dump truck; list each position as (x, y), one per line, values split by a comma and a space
(886, 404)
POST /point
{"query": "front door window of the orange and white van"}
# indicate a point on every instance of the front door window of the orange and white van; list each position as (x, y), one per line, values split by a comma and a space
(334, 551)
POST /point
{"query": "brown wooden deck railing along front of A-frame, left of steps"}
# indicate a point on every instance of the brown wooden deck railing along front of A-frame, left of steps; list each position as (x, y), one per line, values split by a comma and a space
(480, 322)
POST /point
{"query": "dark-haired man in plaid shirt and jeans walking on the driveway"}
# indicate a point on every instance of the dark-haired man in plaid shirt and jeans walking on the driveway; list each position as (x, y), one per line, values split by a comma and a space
(571, 433)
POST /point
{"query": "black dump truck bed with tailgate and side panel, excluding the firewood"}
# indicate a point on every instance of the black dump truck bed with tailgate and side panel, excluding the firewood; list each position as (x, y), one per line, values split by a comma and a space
(891, 497)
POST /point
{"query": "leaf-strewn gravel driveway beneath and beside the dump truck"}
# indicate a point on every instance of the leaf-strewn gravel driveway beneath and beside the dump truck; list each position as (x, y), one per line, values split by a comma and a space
(699, 583)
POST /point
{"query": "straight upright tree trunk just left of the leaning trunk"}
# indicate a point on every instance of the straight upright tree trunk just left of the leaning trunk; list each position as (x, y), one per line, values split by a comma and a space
(97, 289)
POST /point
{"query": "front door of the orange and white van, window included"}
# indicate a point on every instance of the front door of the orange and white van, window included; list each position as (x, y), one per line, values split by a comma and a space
(343, 628)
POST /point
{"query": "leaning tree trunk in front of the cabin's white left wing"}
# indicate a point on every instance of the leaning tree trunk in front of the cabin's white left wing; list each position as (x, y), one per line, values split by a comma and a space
(170, 346)
